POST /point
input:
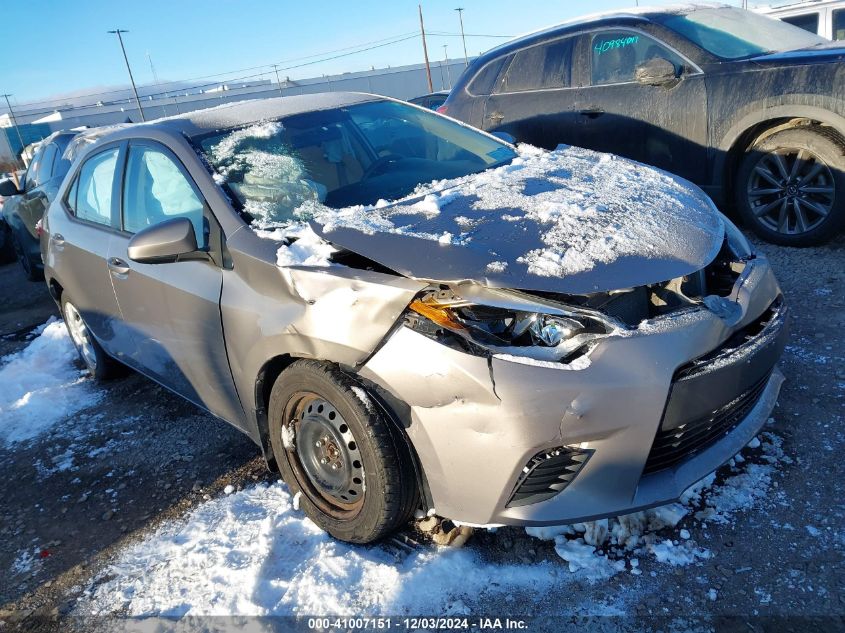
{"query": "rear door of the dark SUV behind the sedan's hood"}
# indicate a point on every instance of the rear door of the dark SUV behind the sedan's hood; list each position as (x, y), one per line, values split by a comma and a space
(533, 98)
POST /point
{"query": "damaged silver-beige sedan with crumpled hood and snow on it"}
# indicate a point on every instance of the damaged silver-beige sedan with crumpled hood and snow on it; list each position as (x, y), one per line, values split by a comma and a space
(410, 316)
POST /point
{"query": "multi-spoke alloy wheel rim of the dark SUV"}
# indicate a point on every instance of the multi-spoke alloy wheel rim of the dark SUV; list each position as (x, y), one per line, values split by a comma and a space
(791, 191)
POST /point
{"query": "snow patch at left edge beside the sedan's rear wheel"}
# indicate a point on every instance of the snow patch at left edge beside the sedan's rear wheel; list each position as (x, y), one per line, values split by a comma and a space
(41, 385)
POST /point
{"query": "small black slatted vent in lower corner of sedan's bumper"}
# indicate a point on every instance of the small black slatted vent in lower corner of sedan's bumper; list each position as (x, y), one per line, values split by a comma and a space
(547, 474)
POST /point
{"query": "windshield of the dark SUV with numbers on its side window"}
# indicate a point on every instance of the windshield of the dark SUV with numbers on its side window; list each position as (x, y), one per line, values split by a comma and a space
(736, 34)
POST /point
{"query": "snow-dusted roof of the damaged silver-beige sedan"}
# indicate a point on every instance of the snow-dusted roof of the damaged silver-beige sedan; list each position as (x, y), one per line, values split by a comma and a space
(239, 113)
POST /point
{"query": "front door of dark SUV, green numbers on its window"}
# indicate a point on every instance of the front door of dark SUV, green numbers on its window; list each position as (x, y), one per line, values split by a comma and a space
(662, 125)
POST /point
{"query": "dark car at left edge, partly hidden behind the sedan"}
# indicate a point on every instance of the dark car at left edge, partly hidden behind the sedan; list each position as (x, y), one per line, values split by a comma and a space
(23, 207)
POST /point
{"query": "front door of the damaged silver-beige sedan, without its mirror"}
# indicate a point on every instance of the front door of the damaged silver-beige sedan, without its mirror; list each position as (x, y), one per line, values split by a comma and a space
(173, 309)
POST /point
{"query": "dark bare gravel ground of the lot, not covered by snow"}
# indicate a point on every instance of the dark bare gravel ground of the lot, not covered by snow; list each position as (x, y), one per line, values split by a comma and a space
(73, 498)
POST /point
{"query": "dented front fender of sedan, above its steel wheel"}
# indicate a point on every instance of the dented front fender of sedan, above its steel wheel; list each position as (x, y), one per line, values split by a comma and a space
(336, 313)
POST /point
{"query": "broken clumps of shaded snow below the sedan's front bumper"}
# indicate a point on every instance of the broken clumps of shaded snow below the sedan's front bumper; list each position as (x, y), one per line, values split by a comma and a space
(603, 547)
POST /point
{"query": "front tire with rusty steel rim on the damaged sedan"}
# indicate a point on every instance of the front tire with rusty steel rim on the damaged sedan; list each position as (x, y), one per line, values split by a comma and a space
(337, 449)
